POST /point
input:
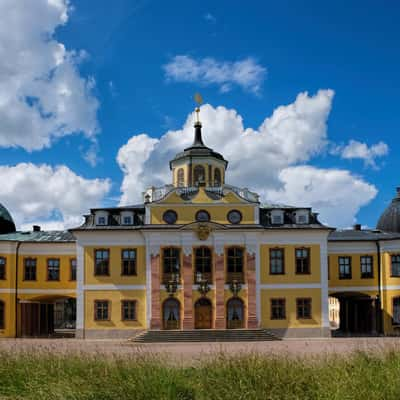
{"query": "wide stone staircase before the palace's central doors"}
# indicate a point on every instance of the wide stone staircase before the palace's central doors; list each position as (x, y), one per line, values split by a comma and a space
(205, 335)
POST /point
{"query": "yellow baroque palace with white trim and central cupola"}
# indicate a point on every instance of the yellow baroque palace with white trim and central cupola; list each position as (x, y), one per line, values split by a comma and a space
(200, 254)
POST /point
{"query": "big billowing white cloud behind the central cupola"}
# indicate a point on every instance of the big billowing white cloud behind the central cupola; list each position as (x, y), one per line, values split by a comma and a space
(264, 159)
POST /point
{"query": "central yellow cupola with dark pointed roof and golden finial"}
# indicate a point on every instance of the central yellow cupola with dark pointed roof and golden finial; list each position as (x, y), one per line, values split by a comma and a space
(198, 165)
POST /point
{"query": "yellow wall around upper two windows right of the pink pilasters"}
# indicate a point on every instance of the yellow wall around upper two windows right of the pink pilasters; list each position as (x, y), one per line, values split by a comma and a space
(290, 275)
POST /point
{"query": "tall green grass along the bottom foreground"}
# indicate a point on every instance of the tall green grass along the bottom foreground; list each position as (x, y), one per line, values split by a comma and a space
(48, 376)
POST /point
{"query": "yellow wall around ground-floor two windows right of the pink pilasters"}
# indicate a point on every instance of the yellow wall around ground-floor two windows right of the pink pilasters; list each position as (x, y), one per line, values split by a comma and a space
(290, 295)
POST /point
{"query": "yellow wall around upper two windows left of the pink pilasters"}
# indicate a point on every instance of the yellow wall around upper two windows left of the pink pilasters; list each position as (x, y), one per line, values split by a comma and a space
(115, 276)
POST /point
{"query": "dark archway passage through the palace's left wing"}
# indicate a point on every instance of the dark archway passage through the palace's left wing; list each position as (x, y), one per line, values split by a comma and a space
(47, 317)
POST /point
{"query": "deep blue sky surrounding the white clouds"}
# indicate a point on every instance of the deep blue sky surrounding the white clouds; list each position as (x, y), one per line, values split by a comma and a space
(349, 47)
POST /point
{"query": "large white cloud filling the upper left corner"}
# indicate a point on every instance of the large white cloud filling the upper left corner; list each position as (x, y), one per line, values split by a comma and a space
(43, 96)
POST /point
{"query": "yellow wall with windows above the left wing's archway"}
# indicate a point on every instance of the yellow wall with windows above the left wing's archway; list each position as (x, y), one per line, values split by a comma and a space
(41, 273)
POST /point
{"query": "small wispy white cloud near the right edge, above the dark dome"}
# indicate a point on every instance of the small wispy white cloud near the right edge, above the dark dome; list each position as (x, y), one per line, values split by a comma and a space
(358, 150)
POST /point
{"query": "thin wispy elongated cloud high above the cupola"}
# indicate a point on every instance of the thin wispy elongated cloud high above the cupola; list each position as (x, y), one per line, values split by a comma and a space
(246, 73)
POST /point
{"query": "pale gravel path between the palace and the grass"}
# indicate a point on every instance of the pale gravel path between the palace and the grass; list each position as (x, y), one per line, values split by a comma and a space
(195, 351)
